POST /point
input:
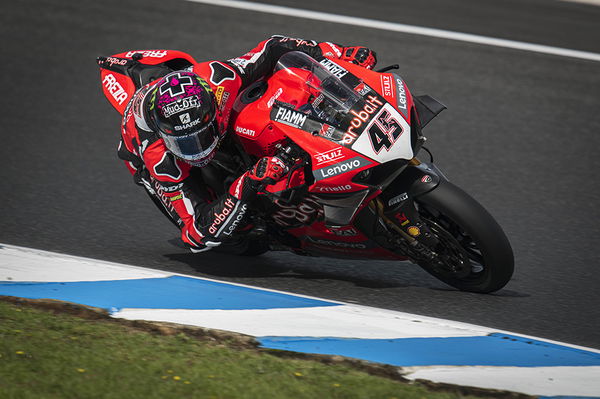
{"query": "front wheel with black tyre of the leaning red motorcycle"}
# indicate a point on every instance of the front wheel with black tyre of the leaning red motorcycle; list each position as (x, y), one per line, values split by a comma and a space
(473, 253)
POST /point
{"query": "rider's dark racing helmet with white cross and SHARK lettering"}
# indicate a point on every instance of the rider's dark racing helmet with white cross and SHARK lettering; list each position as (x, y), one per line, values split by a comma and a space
(182, 109)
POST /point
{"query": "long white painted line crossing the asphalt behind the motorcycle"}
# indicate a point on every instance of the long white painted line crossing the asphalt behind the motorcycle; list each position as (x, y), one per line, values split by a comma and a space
(403, 28)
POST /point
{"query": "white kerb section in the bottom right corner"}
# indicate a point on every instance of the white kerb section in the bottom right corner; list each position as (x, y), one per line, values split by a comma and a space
(550, 381)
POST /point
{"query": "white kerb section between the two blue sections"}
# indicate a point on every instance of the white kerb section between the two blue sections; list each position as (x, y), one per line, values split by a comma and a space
(346, 321)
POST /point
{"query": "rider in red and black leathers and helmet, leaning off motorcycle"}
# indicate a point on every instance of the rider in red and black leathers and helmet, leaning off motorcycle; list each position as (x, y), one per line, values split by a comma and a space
(179, 122)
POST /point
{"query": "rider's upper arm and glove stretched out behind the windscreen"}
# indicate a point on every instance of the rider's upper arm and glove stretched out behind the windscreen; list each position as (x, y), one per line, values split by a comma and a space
(260, 61)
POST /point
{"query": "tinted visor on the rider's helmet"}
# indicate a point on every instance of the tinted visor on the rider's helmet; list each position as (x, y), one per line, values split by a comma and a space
(194, 146)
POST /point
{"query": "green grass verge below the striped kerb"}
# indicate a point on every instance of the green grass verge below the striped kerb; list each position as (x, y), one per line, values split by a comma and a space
(47, 355)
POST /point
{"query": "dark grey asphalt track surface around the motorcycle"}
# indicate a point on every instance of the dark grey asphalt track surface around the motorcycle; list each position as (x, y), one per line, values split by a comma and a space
(521, 135)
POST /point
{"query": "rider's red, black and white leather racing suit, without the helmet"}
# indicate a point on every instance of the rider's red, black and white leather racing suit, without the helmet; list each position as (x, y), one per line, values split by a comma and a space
(204, 220)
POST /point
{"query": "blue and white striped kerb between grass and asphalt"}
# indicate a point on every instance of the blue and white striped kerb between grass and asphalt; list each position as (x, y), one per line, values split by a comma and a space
(427, 348)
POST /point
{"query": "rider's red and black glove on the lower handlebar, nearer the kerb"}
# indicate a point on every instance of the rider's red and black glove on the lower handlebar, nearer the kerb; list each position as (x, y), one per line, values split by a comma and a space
(268, 170)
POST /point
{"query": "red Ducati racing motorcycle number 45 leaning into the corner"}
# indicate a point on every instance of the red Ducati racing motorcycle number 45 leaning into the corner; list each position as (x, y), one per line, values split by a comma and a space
(355, 188)
